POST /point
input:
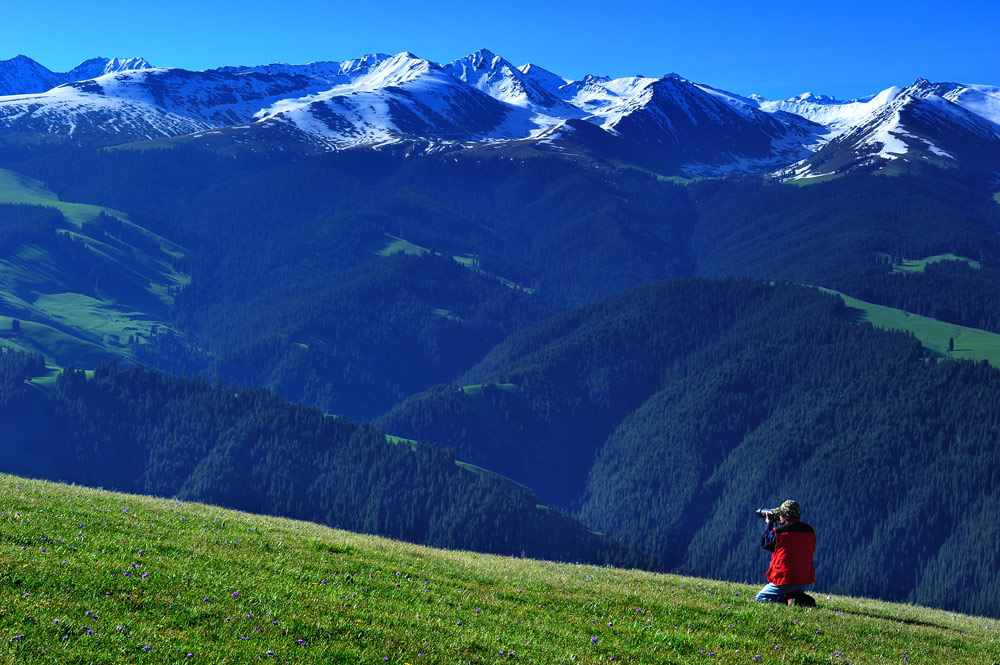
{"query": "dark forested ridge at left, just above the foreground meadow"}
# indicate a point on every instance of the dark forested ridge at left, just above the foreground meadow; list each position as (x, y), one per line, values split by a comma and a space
(139, 430)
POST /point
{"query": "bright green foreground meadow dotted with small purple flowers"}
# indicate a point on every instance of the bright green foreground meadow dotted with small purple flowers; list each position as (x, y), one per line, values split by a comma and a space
(97, 577)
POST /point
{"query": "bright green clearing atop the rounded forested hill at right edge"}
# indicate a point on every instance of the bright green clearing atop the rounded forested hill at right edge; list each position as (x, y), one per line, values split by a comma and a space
(970, 343)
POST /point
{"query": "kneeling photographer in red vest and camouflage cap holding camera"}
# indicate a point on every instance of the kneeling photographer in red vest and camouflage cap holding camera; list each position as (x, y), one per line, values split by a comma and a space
(792, 544)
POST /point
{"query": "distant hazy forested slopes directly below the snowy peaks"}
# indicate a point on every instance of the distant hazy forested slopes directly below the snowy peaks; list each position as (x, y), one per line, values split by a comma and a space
(288, 288)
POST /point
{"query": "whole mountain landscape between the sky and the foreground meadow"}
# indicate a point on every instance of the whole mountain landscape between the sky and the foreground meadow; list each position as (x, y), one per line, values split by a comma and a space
(482, 306)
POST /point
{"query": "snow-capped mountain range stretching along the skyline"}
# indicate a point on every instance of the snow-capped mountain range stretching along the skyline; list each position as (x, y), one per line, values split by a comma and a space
(668, 123)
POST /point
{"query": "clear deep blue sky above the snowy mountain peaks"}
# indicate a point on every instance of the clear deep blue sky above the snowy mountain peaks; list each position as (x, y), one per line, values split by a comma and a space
(776, 48)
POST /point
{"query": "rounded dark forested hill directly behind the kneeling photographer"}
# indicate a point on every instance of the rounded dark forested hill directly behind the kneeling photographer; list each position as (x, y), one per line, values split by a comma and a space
(690, 404)
